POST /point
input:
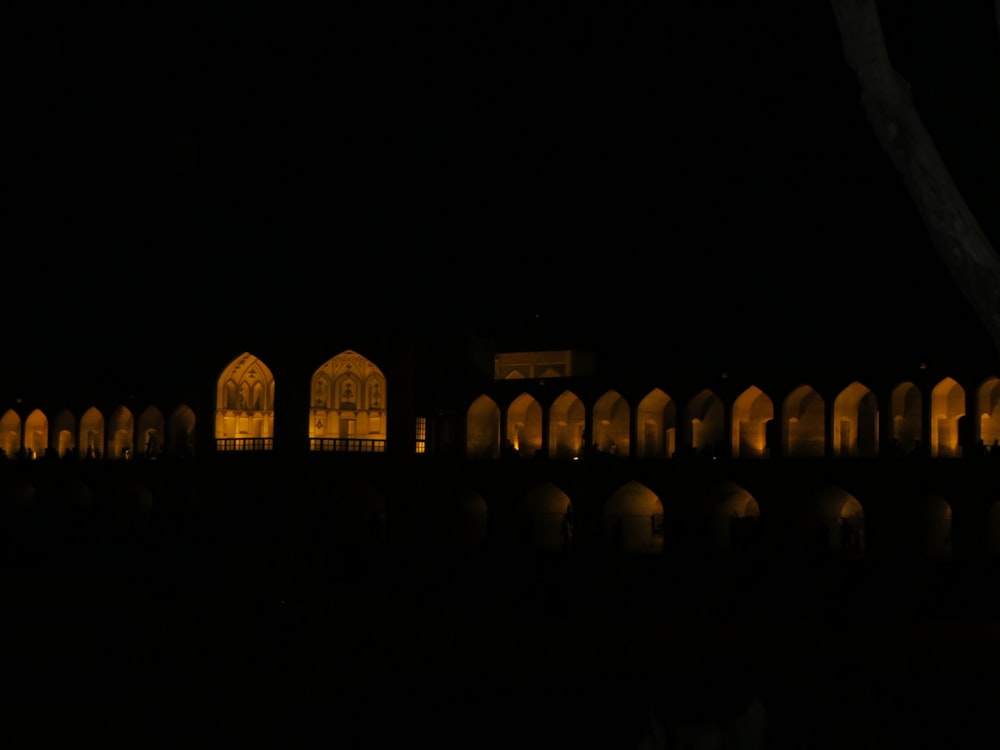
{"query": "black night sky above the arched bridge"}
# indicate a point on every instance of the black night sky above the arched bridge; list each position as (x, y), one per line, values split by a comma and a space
(488, 164)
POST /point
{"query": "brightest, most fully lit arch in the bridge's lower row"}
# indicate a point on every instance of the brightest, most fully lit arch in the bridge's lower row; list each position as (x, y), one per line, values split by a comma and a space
(633, 520)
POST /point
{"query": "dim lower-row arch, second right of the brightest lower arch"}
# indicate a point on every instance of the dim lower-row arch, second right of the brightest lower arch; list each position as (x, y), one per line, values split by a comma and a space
(833, 517)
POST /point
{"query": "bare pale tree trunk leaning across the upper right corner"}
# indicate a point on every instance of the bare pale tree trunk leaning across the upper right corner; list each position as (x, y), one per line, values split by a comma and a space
(885, 95)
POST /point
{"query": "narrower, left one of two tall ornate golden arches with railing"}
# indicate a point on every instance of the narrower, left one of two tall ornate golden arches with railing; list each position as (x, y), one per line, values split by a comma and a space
(244, 407)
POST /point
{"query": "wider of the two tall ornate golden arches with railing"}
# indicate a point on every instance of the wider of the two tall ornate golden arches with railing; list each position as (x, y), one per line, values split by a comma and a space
(347, 410)
